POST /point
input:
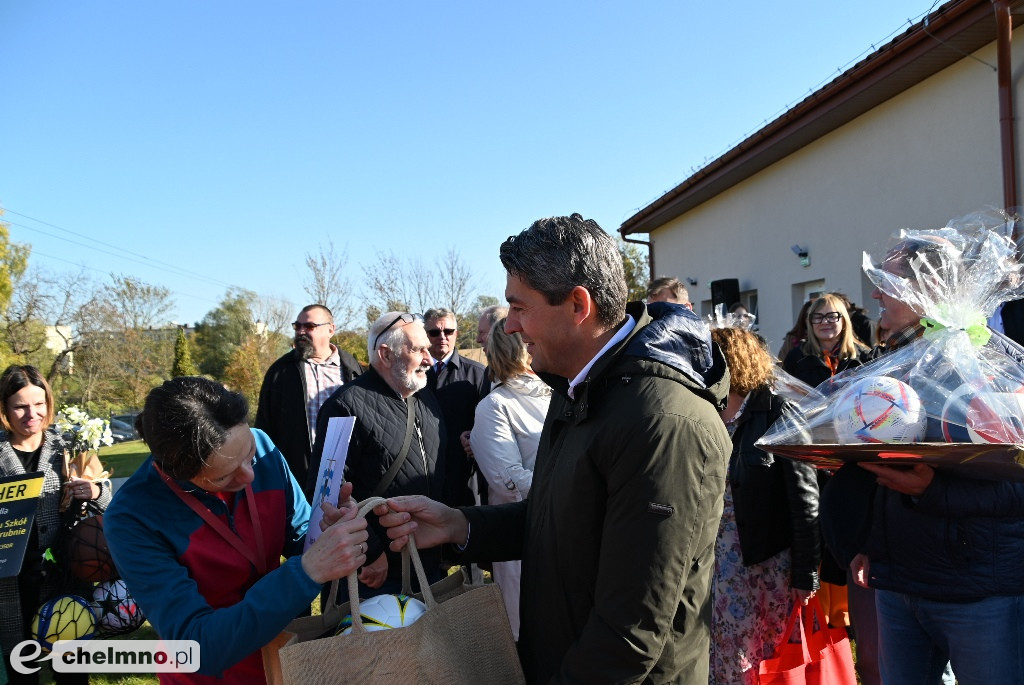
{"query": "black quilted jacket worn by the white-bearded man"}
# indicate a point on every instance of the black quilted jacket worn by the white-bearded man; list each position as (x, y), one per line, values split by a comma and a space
(377, 439)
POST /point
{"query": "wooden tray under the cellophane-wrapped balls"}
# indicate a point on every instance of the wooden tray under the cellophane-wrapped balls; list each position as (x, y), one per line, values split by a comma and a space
(994, 461)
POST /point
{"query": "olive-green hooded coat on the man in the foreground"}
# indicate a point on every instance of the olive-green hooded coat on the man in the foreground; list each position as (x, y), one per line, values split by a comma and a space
(618, 535)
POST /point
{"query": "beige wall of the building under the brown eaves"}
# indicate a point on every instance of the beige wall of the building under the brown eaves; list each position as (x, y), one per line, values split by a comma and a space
(917, 161)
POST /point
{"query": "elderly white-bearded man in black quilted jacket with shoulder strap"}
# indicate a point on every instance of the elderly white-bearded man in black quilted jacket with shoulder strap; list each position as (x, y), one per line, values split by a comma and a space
(398, 445)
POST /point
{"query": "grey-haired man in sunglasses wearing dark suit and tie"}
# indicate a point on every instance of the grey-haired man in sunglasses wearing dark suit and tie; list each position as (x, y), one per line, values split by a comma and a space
(459, 384)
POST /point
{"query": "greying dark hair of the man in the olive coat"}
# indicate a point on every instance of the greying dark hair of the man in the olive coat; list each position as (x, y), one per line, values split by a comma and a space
(557, 254)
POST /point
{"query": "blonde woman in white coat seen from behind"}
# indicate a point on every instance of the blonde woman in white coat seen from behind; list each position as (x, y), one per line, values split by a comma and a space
(506, 433)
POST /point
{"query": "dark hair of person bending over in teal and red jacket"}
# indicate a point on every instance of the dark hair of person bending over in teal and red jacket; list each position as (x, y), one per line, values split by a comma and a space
(186, 420)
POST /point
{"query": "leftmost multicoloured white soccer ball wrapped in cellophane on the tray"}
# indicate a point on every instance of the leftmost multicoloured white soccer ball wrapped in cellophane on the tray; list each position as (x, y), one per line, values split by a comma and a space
(879, 409)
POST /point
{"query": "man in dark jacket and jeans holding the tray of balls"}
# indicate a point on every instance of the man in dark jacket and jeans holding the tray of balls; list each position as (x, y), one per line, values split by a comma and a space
(944, 551)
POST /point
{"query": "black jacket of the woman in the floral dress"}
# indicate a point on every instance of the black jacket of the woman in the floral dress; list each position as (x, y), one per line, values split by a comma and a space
(777, 500)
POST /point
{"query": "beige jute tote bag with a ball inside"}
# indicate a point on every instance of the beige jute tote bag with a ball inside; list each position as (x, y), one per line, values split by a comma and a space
(463, 638)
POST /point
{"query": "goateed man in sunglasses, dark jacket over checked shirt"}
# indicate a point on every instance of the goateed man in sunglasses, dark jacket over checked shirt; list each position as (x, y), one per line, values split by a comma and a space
(296, 386)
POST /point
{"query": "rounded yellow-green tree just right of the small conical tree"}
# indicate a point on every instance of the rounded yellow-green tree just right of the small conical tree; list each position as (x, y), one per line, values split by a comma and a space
(224, 330)
